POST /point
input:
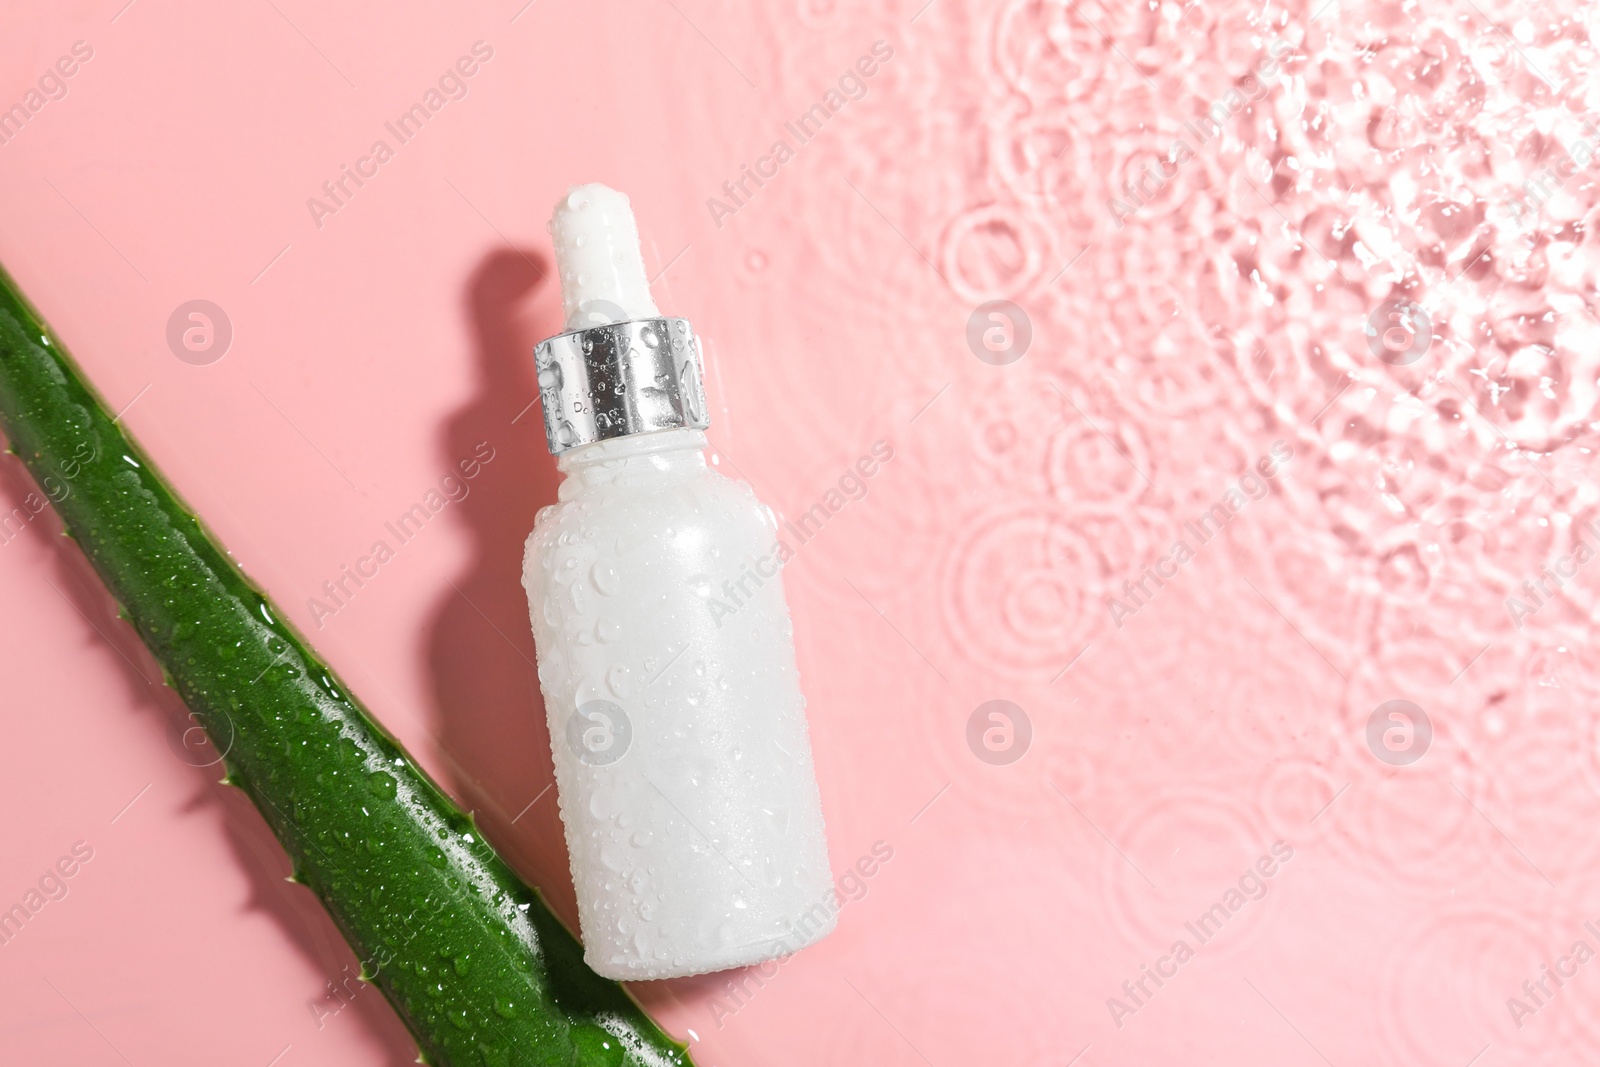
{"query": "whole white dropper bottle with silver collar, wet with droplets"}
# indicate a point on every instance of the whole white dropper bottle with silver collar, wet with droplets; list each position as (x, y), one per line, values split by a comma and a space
(682, 759)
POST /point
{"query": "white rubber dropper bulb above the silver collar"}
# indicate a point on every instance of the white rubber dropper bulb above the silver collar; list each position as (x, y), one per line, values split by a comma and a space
(598, 258)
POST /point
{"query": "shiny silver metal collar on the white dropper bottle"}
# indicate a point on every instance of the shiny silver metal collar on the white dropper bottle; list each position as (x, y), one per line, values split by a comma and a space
(622, 378)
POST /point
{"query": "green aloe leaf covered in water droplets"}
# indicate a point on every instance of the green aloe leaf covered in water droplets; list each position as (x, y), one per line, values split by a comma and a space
(466, 953)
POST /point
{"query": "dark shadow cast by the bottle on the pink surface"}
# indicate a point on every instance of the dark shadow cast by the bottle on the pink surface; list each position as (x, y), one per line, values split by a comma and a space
(494, 737)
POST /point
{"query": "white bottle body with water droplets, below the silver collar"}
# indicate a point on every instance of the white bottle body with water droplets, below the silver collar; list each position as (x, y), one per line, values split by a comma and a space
(678, 724)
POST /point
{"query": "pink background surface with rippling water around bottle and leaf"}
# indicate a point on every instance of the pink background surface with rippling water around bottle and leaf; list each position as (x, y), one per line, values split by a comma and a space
(1167, 754)
